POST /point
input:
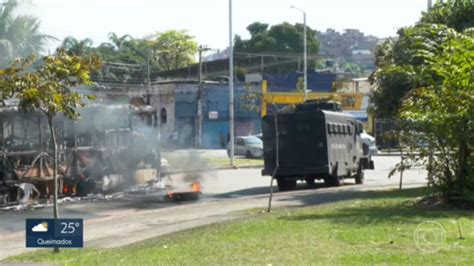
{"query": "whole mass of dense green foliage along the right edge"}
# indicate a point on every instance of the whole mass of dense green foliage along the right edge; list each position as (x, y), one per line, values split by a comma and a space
(425, 82)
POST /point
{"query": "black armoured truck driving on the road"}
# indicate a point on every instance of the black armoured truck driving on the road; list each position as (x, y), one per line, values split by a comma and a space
(313, 144)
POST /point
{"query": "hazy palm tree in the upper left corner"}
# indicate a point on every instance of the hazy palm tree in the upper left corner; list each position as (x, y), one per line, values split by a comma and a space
(19, 35)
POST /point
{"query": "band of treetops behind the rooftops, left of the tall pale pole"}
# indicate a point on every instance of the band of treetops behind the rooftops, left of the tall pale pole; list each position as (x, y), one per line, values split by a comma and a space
(127, 59)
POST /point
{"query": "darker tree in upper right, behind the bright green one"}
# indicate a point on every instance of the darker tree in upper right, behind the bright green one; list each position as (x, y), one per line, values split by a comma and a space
(394, 55)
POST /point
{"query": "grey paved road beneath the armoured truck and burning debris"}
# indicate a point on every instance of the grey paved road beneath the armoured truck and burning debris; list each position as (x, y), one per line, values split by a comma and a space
(133, 218)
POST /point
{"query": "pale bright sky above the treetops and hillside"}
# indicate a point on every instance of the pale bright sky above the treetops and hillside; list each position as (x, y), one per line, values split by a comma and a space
(208, 20)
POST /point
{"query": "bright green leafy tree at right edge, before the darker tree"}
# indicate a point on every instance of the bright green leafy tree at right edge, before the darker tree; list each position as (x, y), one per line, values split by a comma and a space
(443, 111)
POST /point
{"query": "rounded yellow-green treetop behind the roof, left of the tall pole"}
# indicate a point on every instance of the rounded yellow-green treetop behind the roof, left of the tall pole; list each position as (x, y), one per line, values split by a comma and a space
(173, 49)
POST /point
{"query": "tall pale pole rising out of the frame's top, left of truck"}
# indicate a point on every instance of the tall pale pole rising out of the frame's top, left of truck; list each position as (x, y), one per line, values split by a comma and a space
(231, 86)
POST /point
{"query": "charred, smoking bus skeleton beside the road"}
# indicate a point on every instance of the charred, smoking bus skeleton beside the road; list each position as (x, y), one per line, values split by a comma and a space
(110, 147)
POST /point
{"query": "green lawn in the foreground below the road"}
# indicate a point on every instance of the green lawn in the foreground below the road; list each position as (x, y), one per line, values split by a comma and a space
(372, 228)
